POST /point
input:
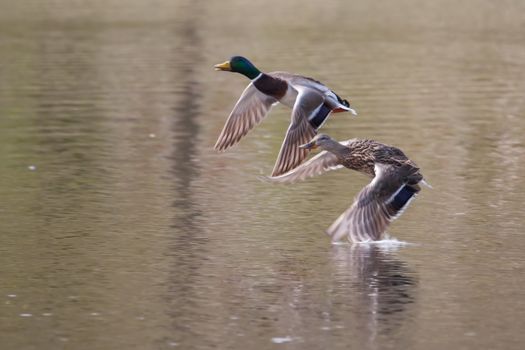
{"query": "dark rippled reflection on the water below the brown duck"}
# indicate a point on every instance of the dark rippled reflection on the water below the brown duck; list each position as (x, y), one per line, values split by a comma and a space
(384, 285)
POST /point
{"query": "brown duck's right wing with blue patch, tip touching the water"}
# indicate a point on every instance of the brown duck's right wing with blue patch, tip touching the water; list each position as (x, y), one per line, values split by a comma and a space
(378, 204)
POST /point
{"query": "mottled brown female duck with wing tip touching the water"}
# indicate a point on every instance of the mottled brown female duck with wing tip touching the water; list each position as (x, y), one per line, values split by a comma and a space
(394, 185)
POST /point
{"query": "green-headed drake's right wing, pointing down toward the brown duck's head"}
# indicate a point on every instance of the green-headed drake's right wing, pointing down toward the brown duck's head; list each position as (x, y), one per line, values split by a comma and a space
(299, 132)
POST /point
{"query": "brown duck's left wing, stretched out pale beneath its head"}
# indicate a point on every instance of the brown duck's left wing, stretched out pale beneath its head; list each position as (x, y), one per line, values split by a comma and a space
(321, 163)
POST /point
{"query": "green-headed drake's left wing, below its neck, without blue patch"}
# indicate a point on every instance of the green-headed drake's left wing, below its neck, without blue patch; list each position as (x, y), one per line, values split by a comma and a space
(251, 108)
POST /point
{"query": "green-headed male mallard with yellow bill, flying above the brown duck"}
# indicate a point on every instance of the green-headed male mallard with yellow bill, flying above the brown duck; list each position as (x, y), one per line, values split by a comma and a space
(310, 100)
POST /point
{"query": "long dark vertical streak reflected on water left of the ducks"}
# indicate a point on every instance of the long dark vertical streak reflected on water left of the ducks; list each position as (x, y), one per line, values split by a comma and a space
(188, 240)
